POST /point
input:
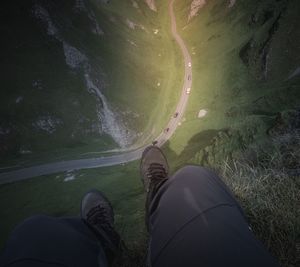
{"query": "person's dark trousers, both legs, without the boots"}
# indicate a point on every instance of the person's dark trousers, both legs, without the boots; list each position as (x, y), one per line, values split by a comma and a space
(194, 221)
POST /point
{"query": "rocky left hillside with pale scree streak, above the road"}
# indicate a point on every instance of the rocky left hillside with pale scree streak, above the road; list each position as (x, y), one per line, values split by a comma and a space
(66, 48)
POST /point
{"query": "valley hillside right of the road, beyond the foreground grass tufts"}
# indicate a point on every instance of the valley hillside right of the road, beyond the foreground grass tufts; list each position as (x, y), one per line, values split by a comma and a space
(248, 54)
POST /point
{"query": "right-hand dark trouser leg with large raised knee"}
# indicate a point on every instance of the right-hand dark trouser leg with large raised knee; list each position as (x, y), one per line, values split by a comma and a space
(194, 220)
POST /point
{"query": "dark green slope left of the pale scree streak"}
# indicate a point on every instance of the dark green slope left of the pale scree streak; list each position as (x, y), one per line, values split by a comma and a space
(31, 55)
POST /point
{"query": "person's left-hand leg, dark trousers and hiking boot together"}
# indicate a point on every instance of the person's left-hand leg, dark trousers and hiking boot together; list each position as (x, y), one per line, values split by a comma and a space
(47, 241)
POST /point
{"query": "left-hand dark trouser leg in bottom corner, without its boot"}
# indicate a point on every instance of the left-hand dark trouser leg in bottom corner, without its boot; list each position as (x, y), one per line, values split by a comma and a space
(43, 241)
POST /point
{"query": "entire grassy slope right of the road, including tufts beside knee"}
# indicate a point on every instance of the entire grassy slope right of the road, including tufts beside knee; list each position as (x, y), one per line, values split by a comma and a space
(251, 132)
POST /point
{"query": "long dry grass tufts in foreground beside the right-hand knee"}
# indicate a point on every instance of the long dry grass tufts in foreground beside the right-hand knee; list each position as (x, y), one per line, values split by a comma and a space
(269, 199)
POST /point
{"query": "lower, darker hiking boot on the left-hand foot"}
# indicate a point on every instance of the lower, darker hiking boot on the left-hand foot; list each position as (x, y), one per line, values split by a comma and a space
(97, 213)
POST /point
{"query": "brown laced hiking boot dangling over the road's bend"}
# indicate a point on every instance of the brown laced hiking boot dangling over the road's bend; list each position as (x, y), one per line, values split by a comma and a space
(154, 169)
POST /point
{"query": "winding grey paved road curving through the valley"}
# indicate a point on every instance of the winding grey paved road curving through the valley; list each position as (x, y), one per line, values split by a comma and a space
(50, 168)
